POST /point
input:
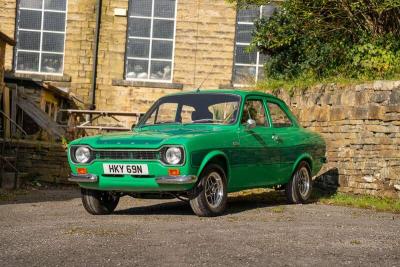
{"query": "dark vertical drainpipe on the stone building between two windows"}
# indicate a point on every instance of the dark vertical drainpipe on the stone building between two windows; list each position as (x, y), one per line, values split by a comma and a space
(92, 93)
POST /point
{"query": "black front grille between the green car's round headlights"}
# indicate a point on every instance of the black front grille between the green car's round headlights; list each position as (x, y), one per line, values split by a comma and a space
(127, 155)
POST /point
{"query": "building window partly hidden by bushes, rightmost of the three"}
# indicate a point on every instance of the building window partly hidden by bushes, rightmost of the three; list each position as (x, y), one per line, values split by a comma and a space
(248, 67)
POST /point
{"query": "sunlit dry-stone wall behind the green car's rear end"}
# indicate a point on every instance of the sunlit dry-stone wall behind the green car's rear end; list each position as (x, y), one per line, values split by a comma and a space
(361, 125)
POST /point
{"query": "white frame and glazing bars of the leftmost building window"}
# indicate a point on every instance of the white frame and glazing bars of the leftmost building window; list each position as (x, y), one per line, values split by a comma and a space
(41, 31)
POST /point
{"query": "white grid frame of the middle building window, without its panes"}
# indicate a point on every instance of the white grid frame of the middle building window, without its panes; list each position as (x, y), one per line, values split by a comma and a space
(151, 38)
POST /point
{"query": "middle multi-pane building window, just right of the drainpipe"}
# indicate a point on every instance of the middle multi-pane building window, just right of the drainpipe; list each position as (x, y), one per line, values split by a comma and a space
(150, 40)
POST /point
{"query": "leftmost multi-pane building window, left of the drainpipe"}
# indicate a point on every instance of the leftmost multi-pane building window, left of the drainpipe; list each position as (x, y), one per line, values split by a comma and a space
(41, 28)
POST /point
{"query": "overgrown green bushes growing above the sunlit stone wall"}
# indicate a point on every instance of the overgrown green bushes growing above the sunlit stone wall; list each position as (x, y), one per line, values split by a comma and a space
(329, 39)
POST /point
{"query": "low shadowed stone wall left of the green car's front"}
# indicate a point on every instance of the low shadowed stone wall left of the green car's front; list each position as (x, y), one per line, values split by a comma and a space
(43, 161)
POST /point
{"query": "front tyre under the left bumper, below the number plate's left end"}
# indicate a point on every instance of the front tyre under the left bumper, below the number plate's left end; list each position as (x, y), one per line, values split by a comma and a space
(98, 202)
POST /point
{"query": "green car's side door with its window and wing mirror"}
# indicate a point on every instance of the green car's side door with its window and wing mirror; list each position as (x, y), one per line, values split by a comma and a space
(256, 162)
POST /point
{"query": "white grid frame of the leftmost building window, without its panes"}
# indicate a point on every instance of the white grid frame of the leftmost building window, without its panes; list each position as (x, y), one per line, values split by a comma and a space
(40, 51)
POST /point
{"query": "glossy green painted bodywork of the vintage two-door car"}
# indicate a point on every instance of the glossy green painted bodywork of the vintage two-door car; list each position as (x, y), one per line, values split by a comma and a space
(254, 158)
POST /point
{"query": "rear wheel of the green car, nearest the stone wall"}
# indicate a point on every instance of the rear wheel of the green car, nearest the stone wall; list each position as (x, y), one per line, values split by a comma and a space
(298, 190)
